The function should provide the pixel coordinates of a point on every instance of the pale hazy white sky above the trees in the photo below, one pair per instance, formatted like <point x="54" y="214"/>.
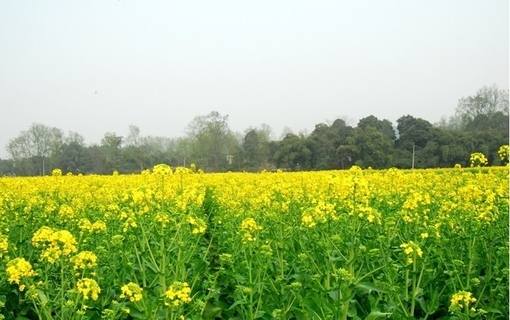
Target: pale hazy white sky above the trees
<point x="98" y="66"/>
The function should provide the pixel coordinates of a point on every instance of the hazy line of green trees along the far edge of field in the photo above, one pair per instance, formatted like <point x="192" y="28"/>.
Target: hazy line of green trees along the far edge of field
<point x="480" y="124"/>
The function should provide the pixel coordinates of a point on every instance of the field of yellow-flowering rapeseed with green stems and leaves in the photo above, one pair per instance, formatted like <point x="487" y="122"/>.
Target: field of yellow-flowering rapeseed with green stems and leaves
<point x="356" y="244"/>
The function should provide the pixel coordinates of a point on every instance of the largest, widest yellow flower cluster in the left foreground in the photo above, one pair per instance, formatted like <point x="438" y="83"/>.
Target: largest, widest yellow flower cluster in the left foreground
<point x="56" y="243"/>
